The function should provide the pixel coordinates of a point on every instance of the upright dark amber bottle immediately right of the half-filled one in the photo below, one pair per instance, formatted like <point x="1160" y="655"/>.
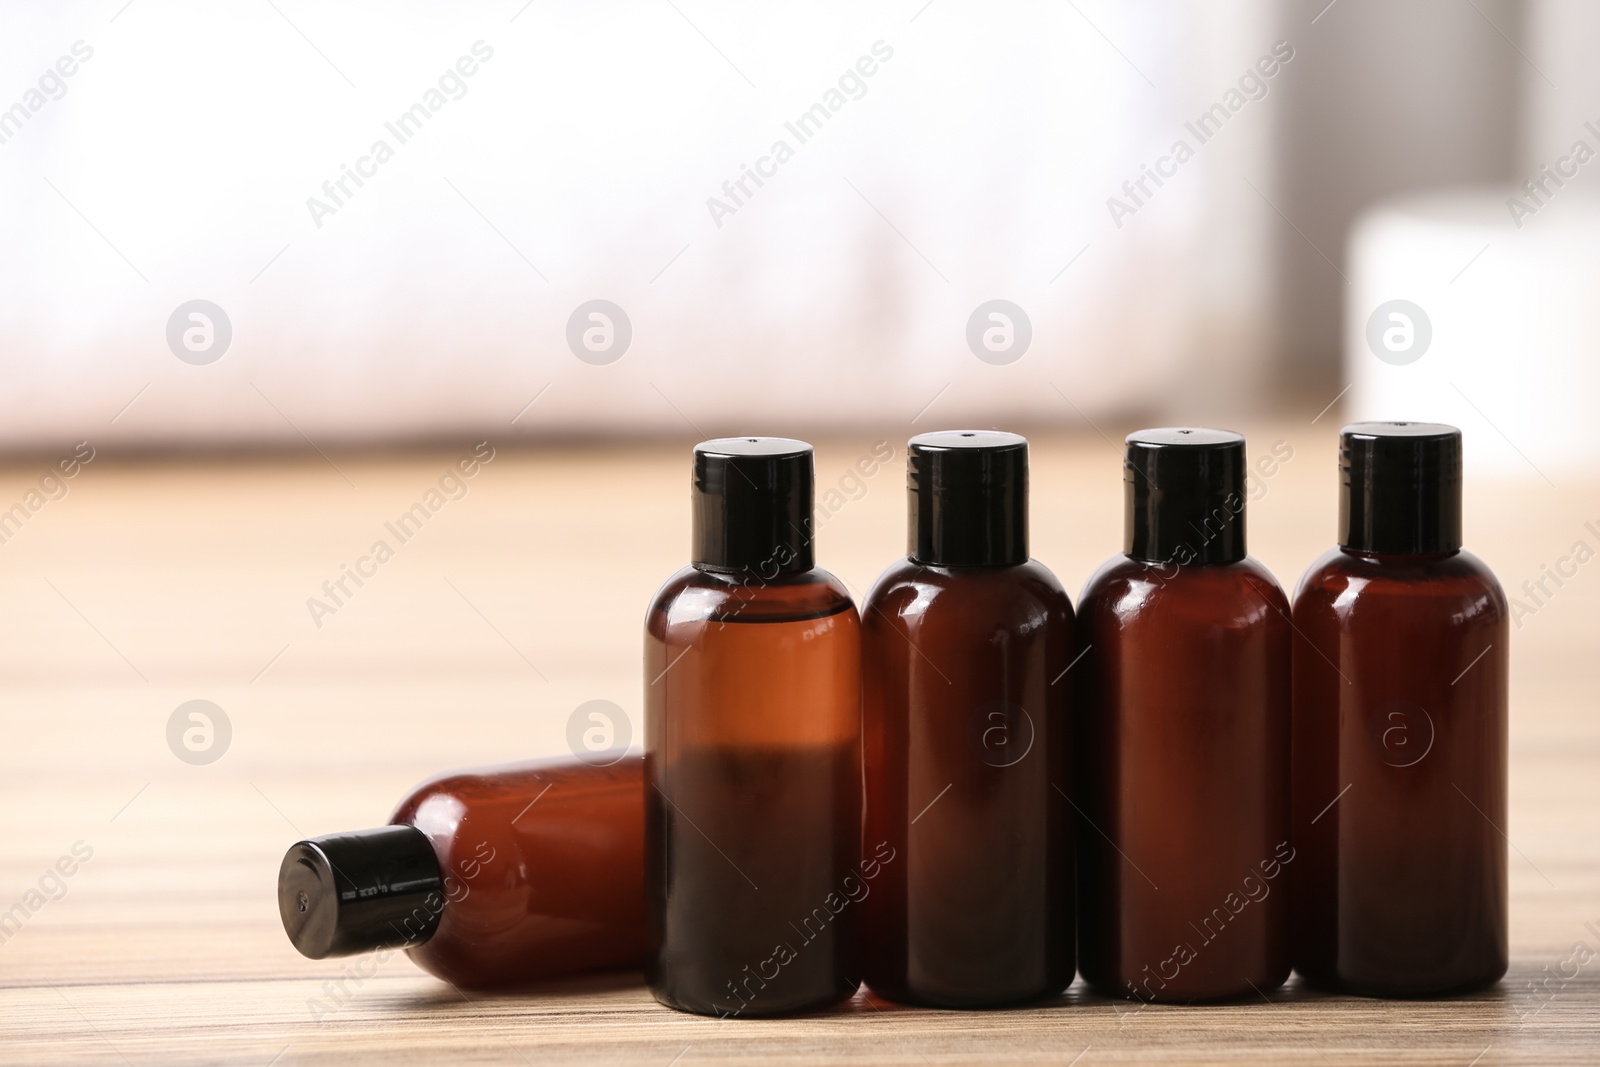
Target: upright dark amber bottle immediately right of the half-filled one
<point x="966" y="644"/>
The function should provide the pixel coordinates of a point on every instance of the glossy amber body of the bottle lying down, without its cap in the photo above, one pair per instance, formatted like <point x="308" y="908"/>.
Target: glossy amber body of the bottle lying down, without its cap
<point x="543" y="868"/>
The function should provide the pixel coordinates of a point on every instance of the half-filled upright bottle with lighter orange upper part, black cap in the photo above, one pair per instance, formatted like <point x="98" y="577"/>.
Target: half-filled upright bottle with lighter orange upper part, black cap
<point x="753" y="761"/>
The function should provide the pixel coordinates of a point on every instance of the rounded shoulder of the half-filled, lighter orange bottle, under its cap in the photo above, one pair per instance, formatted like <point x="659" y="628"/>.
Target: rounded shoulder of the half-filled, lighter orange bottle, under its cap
<point x="700" y="596"/>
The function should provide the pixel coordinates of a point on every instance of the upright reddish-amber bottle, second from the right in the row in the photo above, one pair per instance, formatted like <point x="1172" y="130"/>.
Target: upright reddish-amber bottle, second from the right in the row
<point x="1183" y="738"/>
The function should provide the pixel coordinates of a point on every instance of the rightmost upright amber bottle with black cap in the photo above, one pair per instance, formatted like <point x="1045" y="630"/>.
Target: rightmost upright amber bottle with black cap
<point x="1401" y="676"/>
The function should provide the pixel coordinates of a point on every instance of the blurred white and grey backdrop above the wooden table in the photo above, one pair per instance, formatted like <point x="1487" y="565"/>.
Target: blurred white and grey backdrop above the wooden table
<point x="977" y="162"/>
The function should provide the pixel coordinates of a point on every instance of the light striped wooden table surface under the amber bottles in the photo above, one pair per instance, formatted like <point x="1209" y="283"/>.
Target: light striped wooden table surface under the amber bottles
<point x="158" y="581"/>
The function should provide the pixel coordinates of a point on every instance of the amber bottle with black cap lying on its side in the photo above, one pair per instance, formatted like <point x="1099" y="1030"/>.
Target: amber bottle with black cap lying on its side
<point x="487" y="879"/>
